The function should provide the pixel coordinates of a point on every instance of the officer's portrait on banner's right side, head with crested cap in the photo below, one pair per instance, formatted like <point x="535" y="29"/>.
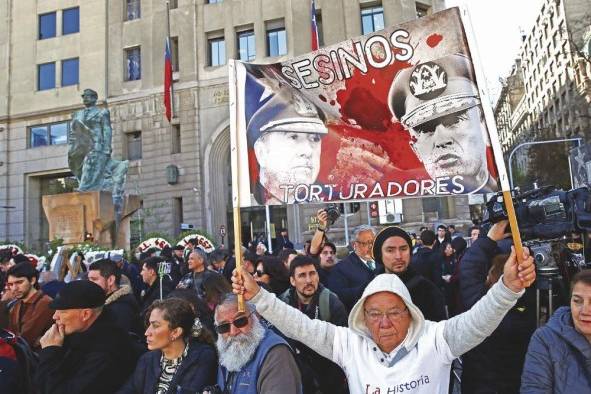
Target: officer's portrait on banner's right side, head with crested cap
<point x="439" y="104"/>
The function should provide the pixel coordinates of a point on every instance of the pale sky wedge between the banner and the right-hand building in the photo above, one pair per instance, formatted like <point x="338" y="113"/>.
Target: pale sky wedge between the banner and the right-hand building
<point x="497" y="29"/>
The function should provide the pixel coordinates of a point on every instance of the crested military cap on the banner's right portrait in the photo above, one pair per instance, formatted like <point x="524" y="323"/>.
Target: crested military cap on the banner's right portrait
<point x="433" y="89"/>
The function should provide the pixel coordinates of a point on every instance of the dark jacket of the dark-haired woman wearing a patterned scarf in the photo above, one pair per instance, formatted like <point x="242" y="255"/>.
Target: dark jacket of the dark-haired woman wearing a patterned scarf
<point x="197" y="371"/>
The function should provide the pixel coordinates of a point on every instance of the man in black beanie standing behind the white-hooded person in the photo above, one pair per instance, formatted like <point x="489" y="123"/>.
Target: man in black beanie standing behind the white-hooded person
<point x="392" y="248"/>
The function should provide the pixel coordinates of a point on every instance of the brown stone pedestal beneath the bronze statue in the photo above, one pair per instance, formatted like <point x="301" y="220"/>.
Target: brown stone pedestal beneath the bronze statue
<point x="72" y="215"/>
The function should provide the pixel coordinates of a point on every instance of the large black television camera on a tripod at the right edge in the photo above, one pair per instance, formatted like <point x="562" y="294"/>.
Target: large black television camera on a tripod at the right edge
<point x="553" y="224"/>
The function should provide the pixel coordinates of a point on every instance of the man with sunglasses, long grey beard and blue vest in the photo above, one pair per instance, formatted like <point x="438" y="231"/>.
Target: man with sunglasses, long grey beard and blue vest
<point x="253" y="359"/>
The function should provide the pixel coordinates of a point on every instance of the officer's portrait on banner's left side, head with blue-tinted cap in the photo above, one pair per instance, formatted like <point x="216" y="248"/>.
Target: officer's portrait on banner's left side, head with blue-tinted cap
<point x="286" y="137"/>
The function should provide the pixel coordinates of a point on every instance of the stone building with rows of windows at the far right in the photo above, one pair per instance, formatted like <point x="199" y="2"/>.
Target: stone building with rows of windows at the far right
<point x="546" y="96"/>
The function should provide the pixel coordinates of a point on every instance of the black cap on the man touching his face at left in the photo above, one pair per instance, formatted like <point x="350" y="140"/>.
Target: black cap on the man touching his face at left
<point x="79" y="294"/>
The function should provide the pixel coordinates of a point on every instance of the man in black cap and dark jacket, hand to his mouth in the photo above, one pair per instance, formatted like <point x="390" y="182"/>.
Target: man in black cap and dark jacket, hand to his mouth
<point x="84" y="351"/>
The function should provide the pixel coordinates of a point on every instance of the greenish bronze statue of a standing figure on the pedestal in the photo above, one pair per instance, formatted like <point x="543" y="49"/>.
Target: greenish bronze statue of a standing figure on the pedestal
<point x="89" y="151"/>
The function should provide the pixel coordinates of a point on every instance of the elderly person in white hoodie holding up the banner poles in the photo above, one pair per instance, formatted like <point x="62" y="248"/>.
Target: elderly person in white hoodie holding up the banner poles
<point x="389" y="347"/>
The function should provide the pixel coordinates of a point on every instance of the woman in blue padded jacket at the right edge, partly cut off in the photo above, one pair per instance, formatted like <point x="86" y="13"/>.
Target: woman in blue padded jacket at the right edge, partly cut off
<point x="558" y="358"/>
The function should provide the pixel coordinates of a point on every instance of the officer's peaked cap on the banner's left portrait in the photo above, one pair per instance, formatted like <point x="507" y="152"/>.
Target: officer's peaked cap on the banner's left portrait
<point x="286" y="111"/>
